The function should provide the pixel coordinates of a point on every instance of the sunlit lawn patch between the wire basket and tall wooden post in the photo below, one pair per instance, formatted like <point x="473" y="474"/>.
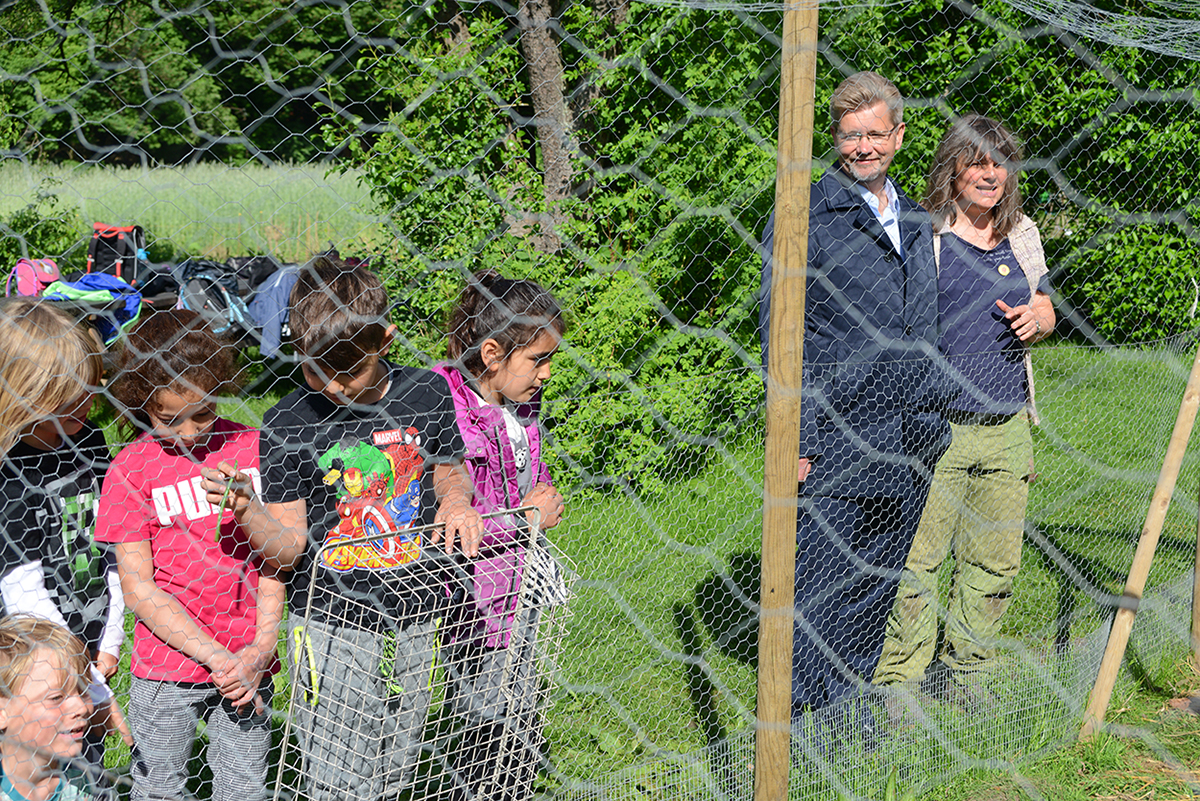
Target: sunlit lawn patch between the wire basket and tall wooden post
<point x="644" y="668"/>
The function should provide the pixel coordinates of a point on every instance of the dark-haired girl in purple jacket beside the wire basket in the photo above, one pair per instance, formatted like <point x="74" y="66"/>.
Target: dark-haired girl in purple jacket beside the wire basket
<point x="502" y="338"/>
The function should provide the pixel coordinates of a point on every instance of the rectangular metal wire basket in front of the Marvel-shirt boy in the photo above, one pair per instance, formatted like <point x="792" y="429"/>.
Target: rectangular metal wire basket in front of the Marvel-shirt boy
<point x="461" y="708"/>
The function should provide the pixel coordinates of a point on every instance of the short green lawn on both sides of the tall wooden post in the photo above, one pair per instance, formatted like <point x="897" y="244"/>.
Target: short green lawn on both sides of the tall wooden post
<point x="661" y="655"/>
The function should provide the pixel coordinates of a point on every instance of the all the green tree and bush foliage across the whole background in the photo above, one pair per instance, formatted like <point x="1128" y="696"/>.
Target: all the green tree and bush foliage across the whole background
<point x="668" y="118"/>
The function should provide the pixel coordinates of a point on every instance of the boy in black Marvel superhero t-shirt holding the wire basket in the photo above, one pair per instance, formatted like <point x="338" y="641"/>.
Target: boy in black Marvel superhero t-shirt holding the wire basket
<point x="365" y="449"/>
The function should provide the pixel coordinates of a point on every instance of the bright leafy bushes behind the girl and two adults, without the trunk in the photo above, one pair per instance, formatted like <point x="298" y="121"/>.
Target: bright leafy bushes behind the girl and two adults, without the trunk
<point x="674" y="123"/>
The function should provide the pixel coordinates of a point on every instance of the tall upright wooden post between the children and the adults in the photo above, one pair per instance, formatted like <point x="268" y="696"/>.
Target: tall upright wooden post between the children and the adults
<point x="794" y="179"/>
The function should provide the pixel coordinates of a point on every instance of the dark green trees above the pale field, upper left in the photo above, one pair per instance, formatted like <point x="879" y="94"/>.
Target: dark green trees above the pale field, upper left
<point x="171" y="83"/>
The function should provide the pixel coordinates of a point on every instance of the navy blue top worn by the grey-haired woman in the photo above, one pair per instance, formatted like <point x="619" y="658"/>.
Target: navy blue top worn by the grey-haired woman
<point x="985" y="354"/>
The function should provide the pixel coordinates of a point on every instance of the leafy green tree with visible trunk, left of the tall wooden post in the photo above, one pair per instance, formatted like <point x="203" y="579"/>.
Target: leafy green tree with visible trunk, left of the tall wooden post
<point x="640" y="234"/>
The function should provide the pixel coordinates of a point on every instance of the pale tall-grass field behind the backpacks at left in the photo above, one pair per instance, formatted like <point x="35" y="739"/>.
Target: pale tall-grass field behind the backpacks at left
<point x="207" y="210"/>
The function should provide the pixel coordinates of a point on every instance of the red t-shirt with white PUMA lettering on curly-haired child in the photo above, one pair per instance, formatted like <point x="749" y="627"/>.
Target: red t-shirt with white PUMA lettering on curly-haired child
<point x="153" y="492"/>
